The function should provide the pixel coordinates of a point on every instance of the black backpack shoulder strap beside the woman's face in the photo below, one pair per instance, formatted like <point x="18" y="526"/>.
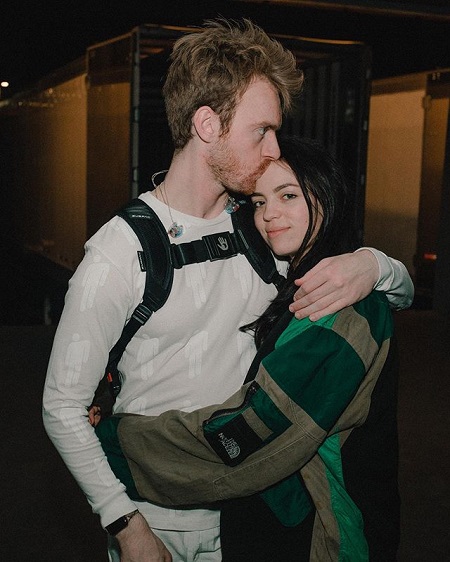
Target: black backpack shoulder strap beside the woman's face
<point x="254" y="248"/>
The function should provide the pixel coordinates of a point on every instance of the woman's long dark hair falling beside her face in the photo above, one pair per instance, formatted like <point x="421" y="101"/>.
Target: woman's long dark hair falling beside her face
<point x="327" y="195"/>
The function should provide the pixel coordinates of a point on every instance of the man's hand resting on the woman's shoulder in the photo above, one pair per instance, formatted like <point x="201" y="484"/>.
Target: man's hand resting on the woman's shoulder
<point x="335" y="283"/>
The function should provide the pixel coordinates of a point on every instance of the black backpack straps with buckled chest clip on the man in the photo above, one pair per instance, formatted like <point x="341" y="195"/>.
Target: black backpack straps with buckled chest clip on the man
<point x="159" y="258"/>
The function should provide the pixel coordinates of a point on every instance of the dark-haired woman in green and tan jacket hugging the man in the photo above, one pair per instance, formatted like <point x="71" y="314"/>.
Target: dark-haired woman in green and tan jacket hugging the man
<point x="316" y="430"/>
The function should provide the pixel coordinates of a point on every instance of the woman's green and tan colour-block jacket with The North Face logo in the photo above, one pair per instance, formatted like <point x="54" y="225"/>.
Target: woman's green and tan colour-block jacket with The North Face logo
<point x="310" y="393"/>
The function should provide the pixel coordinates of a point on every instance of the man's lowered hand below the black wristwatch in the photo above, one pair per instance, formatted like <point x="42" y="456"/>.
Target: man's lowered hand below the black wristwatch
<point x="138" y="543"/>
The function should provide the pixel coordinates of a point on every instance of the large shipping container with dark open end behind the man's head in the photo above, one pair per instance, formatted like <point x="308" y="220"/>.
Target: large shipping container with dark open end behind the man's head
<point x="87" y="138"/>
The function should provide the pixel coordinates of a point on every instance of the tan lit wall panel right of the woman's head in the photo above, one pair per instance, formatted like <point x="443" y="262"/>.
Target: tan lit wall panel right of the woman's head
<point x="394" y="165"/>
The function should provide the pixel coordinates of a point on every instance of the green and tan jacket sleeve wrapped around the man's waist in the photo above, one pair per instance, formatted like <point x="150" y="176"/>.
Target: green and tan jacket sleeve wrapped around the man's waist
<point x="270" y="428"/>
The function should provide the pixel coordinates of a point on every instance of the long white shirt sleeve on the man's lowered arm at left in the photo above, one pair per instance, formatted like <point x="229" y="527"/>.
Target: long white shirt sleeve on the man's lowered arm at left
<point x="97" y="305"/>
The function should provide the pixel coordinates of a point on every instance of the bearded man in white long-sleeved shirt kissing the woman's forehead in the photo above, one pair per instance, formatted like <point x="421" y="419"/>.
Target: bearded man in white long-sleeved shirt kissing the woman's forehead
<point x="225" y="92"/>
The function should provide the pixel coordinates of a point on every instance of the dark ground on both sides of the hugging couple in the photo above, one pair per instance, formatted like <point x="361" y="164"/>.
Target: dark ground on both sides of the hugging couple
<point x="46" y="519"/>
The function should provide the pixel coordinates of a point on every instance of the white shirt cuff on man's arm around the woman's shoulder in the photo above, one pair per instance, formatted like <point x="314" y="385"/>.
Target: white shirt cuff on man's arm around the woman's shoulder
<point x="394" y="280"/>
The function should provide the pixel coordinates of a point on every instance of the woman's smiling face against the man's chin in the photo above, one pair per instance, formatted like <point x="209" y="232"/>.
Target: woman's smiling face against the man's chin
<point x="281" y="213"/>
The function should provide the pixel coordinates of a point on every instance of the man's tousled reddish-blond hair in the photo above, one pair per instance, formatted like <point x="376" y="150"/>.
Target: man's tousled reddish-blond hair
<point x="215" y="65"/>
